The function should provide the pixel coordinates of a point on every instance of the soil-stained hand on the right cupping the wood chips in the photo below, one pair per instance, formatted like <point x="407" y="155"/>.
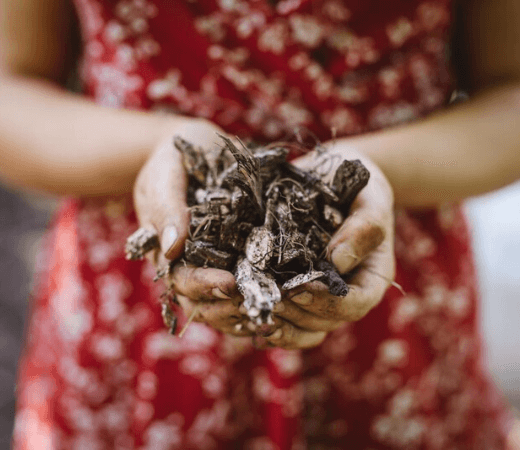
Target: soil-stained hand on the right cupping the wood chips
<point x="363" y="247"/>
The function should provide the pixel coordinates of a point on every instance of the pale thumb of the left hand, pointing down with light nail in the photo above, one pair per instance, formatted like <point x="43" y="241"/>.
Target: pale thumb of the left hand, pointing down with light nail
<point x="160" y="199"/>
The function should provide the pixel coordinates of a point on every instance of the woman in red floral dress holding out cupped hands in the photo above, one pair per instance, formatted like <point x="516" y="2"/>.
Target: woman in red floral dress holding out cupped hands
<point x="373" y="371"/>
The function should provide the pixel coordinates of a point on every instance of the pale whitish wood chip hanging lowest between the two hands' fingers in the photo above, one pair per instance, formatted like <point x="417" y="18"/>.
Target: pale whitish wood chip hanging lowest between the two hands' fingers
<point x="259" y="289"/>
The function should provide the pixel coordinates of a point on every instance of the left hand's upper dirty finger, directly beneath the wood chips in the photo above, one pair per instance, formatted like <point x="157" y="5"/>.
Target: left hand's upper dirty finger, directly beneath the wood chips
<point x="204" y="284"/>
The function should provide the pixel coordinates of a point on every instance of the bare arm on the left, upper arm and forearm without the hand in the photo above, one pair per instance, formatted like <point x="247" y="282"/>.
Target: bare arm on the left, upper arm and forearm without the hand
<point x="53" y="140"/>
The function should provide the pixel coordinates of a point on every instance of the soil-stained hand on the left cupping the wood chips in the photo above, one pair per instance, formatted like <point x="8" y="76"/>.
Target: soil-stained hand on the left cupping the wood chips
<point x="160" y="204"/>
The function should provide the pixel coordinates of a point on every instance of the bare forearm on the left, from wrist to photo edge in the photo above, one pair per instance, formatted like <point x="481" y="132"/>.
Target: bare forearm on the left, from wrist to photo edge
<point x="58" y="142"/>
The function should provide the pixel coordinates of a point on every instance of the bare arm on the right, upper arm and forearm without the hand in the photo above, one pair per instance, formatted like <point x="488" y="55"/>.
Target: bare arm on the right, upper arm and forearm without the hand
<point x="472" y="148"/>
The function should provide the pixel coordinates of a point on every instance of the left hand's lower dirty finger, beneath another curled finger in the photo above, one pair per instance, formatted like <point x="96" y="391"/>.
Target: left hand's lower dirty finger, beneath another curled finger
<point x="223" y="316"/>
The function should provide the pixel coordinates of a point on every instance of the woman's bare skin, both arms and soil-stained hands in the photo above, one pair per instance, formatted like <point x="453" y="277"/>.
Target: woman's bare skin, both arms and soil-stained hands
<point x="444" y="157"/>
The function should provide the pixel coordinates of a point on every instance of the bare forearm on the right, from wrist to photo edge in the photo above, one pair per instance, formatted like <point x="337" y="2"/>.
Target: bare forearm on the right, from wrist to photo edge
<point x="466" y="150"/>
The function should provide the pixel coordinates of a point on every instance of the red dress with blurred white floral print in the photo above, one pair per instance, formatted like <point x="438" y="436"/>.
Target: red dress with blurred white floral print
<point x="100" y="371"/>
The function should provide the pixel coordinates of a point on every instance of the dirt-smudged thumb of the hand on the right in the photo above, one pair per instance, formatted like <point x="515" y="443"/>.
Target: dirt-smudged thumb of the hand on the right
<point x="361" y="233"/>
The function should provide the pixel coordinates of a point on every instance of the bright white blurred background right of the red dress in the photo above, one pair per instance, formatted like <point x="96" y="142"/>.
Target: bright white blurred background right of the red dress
<point x="495" y="220"/>
